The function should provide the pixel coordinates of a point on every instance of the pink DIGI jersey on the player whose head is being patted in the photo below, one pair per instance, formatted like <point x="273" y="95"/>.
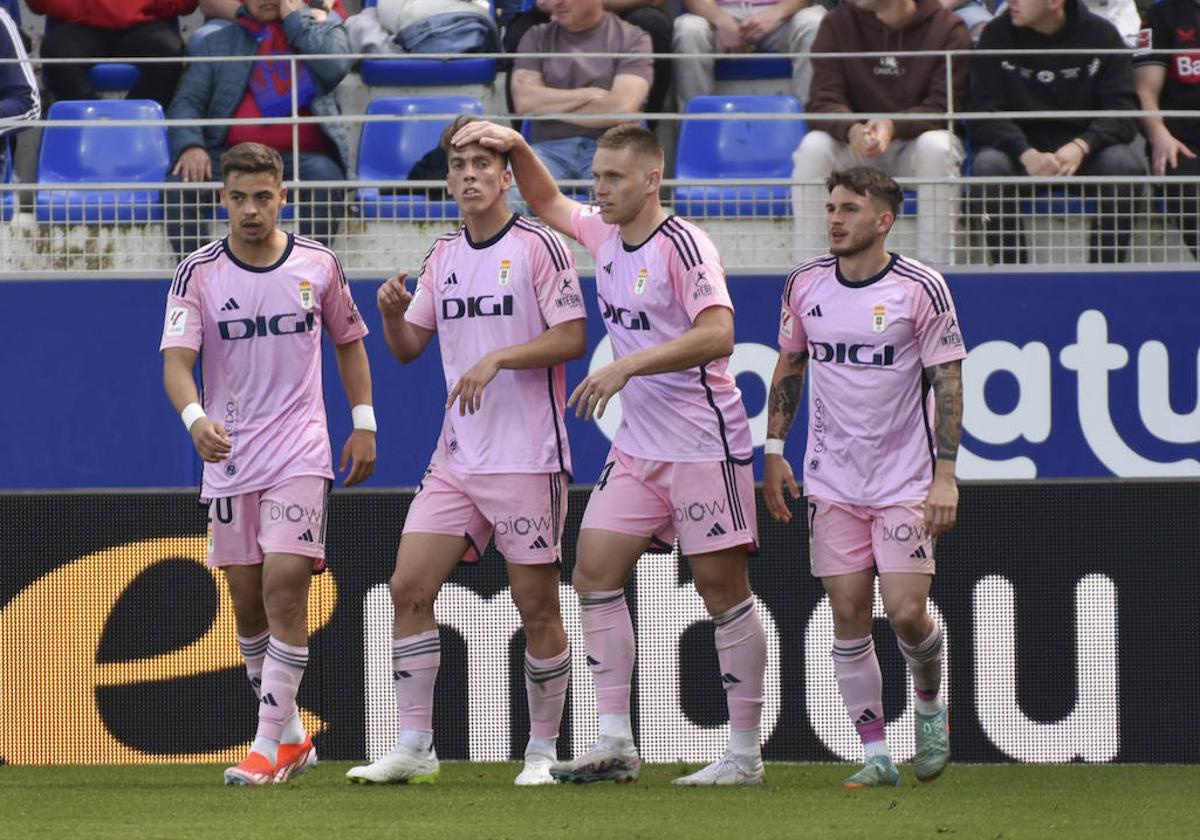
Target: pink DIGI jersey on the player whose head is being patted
<point x="482" y="297"/>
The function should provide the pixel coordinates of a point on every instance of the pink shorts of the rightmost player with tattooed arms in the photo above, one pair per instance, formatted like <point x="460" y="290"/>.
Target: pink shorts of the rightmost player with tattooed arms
<point x="848" y="538"/>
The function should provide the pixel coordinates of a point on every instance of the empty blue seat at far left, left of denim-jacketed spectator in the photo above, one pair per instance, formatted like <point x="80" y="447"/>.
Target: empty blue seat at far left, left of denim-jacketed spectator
<point x="98" y="154"/>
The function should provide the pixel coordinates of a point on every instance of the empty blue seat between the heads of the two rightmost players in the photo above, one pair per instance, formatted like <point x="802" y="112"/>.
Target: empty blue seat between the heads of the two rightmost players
<point x="737" y="148"/>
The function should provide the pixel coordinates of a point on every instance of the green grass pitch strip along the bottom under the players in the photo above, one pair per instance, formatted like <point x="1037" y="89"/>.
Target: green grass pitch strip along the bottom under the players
<point x="1000" y="802"/>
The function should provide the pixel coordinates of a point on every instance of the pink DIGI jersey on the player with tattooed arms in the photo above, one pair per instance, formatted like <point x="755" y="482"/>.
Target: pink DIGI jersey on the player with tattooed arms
<point x="871" y="407"/>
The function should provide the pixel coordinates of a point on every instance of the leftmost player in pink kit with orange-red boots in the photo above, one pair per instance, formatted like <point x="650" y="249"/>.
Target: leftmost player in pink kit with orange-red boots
<point x="256" y="303"/>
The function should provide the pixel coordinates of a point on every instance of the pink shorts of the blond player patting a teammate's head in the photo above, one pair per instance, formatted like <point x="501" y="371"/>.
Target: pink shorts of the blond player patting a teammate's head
<point x="709" y="505"/>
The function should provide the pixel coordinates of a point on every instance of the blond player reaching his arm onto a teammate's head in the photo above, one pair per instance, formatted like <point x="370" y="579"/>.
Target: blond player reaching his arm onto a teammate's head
<point x="681" y="459"/>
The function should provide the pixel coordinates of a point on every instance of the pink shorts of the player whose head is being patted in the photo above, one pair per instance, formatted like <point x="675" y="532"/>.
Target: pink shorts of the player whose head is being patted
<point x="523" y="512"/>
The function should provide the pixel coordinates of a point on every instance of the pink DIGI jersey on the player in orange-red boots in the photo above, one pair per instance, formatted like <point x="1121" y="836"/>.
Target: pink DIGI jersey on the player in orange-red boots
<point x="260" y="331"/>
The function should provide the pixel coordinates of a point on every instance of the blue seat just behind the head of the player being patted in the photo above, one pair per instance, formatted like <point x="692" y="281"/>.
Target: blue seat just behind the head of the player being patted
<point x="389" y="149"/>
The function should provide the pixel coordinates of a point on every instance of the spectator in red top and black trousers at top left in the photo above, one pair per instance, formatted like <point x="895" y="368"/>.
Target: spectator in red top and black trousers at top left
<point x="112" y="29"/>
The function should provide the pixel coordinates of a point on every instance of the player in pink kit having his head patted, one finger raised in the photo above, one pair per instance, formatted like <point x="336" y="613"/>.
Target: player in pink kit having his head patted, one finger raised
<point x="503" y="297"/>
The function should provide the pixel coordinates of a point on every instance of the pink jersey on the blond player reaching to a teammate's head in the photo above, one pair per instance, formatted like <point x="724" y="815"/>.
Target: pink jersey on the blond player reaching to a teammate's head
<point x="649" y="296"/>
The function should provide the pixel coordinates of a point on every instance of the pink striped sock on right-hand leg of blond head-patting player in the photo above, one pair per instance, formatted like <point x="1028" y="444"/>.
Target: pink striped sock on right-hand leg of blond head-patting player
<point x="742" y="656"/>
